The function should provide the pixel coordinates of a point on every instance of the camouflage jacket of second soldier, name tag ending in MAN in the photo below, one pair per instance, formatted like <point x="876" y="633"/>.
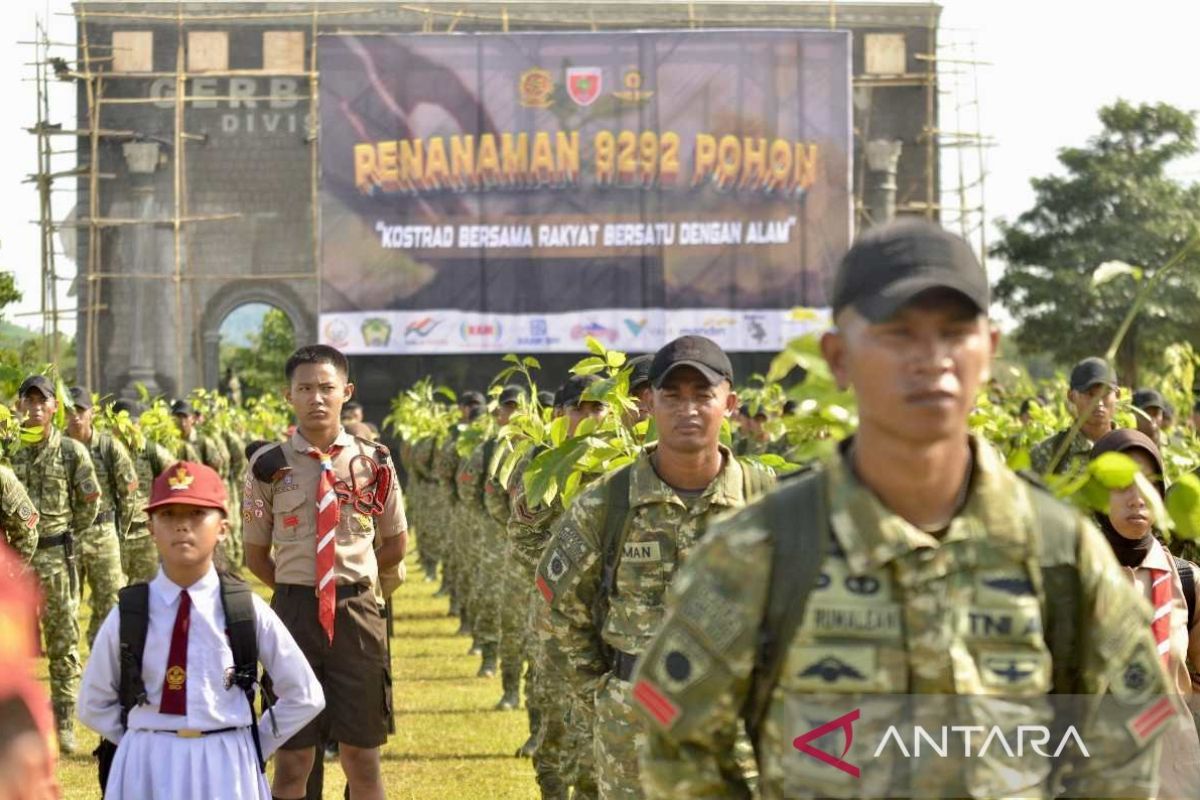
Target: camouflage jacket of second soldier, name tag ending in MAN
<point x="662" y="531"/>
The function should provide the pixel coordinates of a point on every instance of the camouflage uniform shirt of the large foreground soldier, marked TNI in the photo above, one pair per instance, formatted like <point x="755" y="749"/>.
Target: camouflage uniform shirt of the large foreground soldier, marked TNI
<point x="896" y="612"/>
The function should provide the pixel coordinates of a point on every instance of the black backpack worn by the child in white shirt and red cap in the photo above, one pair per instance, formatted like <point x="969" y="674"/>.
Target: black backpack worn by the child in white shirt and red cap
<point x="134" y="609"/>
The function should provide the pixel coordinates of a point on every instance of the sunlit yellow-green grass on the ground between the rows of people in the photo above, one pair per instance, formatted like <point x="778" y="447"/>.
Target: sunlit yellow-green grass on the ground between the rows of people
<point x="449" y="741"/>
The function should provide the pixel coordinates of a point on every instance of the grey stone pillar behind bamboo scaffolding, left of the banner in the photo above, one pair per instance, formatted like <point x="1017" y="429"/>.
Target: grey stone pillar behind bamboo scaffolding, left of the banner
<point x="142" y="159"/>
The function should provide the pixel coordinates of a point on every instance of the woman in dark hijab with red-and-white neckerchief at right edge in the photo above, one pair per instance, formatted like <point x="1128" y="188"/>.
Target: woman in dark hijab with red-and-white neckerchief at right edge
<point x="1130" y="527"/>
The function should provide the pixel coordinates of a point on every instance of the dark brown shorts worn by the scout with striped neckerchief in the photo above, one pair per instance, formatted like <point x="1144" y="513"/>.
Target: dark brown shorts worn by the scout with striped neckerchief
<point x="353" y="672"/>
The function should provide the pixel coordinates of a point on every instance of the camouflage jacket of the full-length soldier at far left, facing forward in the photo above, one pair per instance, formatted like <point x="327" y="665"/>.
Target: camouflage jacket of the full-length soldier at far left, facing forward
<point x="62" y="482"/>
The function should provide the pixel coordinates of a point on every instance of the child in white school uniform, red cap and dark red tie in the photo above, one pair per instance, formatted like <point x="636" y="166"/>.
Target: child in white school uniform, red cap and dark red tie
<point x="193" y="736"/>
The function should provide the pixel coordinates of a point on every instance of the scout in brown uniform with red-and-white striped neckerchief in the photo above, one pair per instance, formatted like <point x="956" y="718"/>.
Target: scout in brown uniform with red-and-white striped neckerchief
<point x="325" y="490"/>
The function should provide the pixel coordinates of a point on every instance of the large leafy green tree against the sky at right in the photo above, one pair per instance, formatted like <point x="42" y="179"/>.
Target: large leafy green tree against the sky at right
<point x="1115" y="203"/>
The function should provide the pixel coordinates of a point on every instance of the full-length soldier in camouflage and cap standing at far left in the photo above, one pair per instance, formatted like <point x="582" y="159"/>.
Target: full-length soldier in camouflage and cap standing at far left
<point x="62" y="483"/>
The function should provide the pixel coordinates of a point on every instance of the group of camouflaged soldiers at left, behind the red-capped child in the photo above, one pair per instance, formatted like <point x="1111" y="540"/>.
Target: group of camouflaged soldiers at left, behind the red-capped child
<point x="73" y="506"/>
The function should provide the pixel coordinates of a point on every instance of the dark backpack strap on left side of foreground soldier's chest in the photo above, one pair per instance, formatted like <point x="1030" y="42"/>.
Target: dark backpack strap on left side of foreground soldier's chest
<point x="799" y="519"/>
